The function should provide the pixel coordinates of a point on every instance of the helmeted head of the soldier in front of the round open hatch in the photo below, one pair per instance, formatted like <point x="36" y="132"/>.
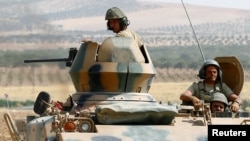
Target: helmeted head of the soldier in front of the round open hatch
<point x="210" y="70"/>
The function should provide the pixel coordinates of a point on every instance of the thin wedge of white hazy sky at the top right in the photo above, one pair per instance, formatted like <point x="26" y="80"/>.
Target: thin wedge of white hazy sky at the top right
<point x="239" y="4"/>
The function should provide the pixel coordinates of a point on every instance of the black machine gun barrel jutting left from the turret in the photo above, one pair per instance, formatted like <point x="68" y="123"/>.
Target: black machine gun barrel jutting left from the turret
<point x="69" y="60"/>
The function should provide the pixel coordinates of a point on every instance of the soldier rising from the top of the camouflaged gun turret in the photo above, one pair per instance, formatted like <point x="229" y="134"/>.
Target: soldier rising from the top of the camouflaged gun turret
<point x="118" y="22"/>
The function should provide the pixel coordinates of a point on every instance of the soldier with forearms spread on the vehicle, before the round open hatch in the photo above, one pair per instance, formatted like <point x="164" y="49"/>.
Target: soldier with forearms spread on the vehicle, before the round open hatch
<point x="210" y="83"/>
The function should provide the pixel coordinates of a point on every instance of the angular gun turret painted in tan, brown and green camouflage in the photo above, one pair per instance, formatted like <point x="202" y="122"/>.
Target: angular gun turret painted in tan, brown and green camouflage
<point x="117" y="65"/>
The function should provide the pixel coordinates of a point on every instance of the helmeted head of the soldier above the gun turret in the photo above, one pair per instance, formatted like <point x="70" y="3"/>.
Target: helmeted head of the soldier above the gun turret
<point x="116" y="20"/>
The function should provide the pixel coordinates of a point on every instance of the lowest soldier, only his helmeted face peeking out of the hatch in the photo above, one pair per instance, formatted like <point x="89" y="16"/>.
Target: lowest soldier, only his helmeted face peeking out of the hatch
<point x="218" y="102"/>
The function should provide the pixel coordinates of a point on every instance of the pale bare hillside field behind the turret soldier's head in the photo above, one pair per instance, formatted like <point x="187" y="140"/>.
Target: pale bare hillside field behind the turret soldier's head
<point x="169" y="15"/>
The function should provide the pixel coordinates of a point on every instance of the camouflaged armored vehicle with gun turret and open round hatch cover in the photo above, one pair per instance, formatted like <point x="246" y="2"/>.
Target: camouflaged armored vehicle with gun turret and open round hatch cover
<point x="112" y="100"/>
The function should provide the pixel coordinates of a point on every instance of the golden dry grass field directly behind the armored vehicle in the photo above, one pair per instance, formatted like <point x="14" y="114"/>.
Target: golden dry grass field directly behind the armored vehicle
<point x="162" y="91"/>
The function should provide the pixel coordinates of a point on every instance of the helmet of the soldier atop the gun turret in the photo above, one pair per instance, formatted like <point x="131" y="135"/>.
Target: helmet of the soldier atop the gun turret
<point x="114" y="13"/>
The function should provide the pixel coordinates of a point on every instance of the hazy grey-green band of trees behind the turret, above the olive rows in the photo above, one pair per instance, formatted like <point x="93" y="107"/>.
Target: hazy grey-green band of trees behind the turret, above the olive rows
<point x="189" y="57"/>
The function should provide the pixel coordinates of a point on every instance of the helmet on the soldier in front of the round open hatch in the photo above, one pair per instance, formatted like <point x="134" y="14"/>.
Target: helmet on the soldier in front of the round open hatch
<point x="210" y="62"/>
